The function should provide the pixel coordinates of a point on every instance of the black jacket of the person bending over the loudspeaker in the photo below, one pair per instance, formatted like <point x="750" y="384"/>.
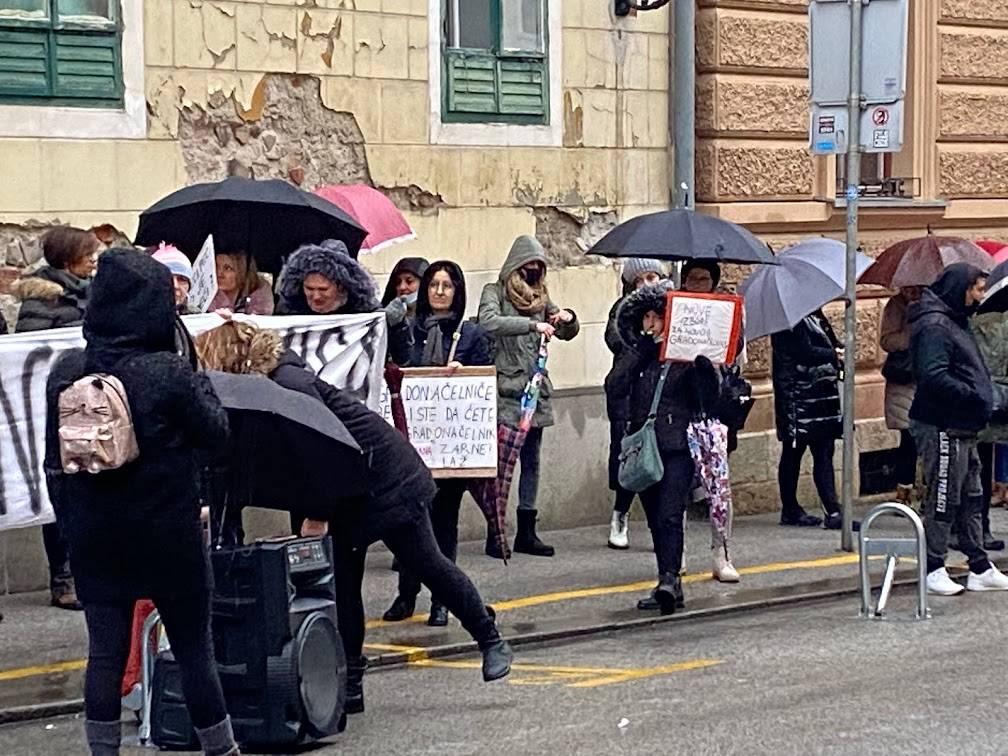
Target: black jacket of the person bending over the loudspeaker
<point x="402" y="487"/>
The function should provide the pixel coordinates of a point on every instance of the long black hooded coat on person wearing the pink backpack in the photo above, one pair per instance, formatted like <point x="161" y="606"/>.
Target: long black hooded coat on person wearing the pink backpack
<point x="135" y="533"/>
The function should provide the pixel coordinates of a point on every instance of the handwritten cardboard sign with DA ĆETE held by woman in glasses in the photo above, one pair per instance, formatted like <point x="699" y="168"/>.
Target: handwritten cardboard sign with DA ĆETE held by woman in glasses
<point x="452" y="420"/>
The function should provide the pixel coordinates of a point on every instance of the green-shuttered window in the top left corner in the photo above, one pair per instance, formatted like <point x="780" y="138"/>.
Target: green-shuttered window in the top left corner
<point x="62" y="53"/>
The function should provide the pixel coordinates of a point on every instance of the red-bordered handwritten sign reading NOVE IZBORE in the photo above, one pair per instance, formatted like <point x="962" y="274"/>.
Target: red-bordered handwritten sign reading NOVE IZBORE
<point x="706" y="325"/>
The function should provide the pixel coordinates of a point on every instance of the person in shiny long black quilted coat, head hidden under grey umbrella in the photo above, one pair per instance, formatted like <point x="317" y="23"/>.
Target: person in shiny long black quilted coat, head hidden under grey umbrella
<point x="807" y="365"/>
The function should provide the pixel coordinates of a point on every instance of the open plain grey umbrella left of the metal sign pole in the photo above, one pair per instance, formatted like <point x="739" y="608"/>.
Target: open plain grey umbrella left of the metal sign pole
<point x="810" y="275"/>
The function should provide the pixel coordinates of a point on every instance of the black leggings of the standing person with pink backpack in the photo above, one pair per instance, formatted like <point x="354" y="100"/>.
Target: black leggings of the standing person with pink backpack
<point x="188" y="624"/>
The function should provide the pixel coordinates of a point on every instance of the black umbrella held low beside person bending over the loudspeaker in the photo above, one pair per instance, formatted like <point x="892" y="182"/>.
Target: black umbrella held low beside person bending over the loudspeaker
<point x="287" y="451"/>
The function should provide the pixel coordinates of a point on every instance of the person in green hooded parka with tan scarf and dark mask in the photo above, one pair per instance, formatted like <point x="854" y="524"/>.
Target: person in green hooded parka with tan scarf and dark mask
<point x="517" y="313"/>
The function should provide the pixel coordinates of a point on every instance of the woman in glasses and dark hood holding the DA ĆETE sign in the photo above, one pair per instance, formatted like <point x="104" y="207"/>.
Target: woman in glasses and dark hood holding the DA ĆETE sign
<point x="442" y="337"/>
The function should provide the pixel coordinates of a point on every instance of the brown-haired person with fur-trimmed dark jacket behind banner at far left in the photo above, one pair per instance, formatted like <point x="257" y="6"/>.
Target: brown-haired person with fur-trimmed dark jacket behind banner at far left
<point x="52" y="298"/>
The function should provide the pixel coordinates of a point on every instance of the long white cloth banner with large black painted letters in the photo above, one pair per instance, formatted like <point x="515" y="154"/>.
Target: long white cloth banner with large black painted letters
<point x="347" y="351"/>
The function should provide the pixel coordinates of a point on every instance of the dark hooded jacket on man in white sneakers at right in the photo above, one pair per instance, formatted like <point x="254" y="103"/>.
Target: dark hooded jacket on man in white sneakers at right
<point x="954" y="385"/>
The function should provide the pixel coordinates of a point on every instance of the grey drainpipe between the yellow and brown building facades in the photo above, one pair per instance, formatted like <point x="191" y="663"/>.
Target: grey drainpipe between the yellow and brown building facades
<point x="685" y="94"/>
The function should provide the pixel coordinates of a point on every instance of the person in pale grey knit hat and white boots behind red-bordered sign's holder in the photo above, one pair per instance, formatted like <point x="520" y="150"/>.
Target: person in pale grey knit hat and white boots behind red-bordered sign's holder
<point x="638" y="274"/>
